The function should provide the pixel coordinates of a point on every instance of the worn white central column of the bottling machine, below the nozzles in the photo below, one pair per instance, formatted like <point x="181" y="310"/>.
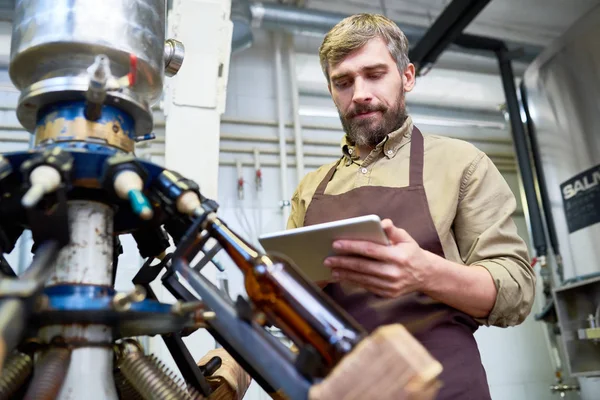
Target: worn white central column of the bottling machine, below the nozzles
<point x="86" y="260"/>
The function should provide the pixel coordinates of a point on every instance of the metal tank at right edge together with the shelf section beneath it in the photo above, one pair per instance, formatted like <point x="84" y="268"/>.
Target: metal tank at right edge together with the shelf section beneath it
<point x="562" y="88"/>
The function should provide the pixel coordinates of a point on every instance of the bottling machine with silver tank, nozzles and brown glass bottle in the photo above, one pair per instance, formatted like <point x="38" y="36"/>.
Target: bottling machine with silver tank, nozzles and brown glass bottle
<point x="88" y="73"/>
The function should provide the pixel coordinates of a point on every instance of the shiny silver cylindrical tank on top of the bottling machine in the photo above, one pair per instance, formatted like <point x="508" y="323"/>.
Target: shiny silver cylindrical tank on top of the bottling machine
<point x="55" y="41"/>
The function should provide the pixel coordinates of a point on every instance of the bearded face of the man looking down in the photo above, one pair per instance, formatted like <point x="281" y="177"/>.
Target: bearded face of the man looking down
<point x="368" y="90"/>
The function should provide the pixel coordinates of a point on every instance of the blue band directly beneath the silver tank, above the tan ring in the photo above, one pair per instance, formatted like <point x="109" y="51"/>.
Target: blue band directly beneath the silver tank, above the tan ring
<point x="70" y="111"/>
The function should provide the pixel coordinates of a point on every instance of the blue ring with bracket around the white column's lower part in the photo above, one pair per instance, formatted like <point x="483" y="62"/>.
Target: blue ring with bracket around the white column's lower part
<point x="86" y="304"/>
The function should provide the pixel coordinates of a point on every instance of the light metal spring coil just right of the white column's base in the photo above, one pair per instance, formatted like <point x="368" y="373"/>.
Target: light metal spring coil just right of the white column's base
<point x="153" y="380"/>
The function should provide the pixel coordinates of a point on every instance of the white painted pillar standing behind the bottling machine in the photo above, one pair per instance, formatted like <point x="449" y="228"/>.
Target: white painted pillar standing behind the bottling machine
<point x="194" y="102"/>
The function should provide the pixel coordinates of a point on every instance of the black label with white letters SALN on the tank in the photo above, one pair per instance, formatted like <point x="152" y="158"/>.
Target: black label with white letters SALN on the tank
<point x="581" y="199"/>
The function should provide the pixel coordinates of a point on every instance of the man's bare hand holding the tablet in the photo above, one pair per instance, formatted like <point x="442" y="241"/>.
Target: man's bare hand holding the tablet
<point x="388" y="271"/>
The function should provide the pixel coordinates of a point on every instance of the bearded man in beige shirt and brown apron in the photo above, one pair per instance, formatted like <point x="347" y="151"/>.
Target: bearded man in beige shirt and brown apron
<point x="455" y="259"/>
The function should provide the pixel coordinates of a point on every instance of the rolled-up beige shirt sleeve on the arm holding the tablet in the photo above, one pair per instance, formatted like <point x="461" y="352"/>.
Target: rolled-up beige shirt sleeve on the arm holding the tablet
<point x="487" y="236"/>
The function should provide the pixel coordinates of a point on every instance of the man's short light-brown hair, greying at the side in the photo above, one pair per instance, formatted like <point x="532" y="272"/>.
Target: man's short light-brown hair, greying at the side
<point x="354" y="32"/>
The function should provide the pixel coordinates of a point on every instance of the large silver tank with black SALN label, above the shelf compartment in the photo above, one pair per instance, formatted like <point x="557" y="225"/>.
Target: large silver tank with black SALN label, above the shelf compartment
<point x="563" y="89"/>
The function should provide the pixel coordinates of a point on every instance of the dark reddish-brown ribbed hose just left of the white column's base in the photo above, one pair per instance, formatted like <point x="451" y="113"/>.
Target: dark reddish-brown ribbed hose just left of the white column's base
<point x="49" y="374"/>
